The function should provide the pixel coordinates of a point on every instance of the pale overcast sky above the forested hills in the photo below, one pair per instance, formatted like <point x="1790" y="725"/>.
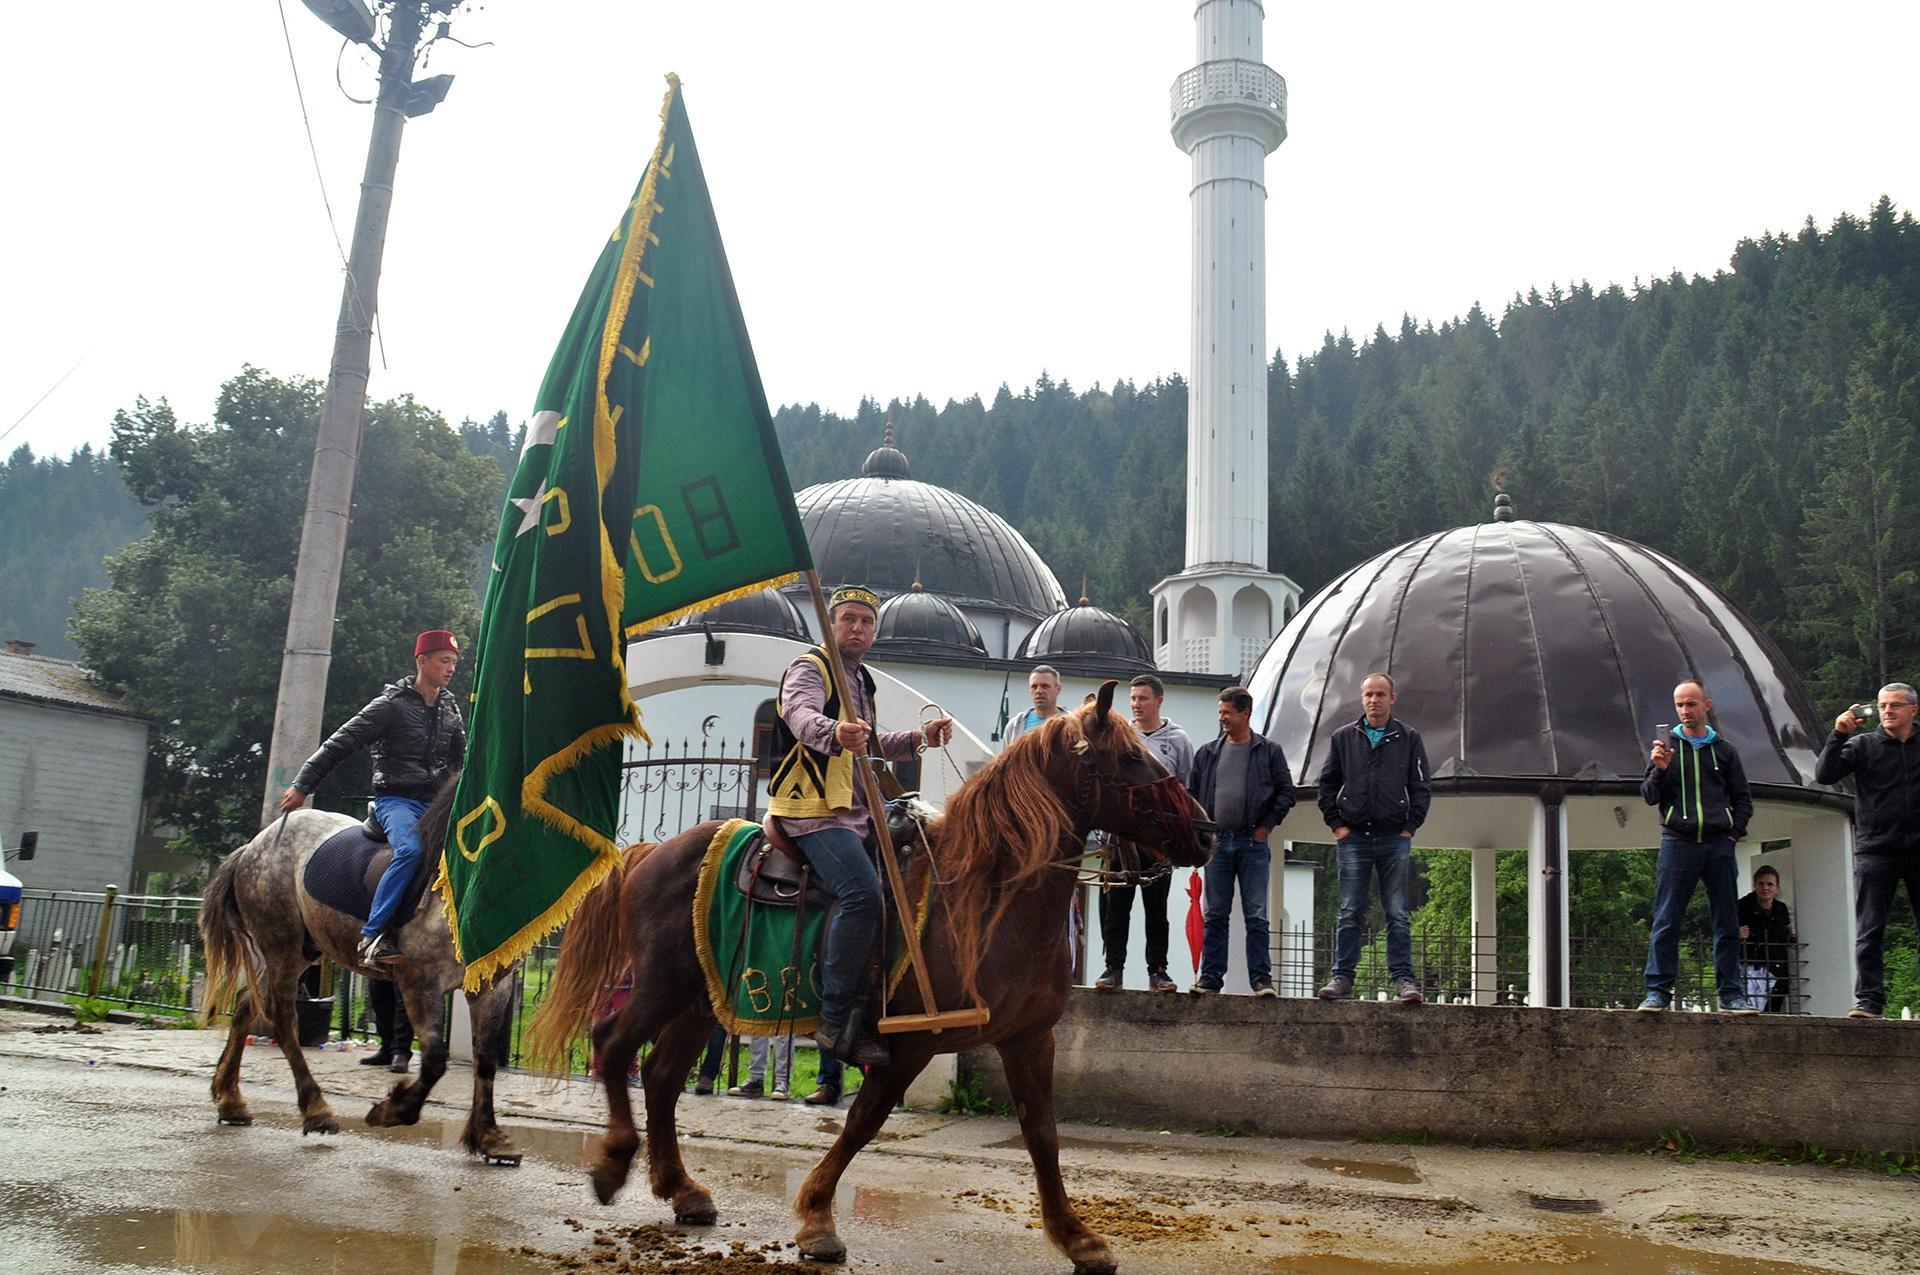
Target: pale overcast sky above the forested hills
<point x="917" y="199"/>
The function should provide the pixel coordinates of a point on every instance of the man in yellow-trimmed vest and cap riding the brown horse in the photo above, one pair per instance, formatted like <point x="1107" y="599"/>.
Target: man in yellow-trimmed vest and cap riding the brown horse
<point x="817" y="800"/>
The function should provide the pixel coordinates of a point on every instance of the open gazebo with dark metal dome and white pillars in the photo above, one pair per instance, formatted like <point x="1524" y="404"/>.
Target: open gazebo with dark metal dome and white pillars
<point x="1539" y="662"/>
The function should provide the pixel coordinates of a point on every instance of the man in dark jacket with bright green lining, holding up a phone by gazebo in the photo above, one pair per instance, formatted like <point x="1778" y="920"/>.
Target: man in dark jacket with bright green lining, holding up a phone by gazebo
<point x="1696" y="781"/>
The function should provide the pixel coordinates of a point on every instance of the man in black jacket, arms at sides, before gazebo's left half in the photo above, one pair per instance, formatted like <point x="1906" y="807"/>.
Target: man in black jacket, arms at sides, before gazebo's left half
<point x="1374" y="796"/>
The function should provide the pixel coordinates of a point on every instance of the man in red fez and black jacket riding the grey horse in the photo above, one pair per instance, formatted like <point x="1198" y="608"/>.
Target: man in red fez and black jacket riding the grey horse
<point x="418" y="742"/>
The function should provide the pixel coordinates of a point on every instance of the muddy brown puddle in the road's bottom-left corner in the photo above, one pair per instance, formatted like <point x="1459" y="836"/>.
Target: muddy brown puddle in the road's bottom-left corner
<point x="245" y="1245"/>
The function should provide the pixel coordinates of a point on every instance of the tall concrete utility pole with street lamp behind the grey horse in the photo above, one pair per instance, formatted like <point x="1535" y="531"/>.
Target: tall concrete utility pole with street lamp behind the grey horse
<point x="324" y="535"/>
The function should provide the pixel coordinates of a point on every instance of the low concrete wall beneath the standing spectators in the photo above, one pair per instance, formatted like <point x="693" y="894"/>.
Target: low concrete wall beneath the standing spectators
<point x="1470" y="1074"/>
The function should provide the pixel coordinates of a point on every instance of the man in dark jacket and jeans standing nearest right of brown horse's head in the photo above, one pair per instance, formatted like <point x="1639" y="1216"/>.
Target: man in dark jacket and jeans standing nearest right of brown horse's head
<point x="1243" y="782"/>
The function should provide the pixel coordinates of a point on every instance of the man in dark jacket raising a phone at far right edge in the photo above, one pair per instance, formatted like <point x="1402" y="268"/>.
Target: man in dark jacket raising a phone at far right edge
<point x="1886" y="829"/>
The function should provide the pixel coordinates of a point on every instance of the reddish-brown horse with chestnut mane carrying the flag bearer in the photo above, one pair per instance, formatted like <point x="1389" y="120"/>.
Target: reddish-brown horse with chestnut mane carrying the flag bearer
<point x="1005" y="854"/>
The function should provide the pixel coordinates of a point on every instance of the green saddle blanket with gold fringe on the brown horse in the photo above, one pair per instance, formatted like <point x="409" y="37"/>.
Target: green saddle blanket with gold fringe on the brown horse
<point x="759" y="978"/>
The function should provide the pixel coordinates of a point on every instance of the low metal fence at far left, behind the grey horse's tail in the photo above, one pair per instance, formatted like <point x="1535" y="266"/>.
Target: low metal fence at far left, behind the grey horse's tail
<point x="141" y="951"/>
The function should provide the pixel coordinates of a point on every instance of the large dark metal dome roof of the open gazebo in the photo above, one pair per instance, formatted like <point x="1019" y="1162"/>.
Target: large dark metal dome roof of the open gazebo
<point x="1535" y="652"/>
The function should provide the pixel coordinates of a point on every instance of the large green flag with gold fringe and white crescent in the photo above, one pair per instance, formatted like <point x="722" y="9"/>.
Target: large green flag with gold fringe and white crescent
<point x="650" y="487"/>
